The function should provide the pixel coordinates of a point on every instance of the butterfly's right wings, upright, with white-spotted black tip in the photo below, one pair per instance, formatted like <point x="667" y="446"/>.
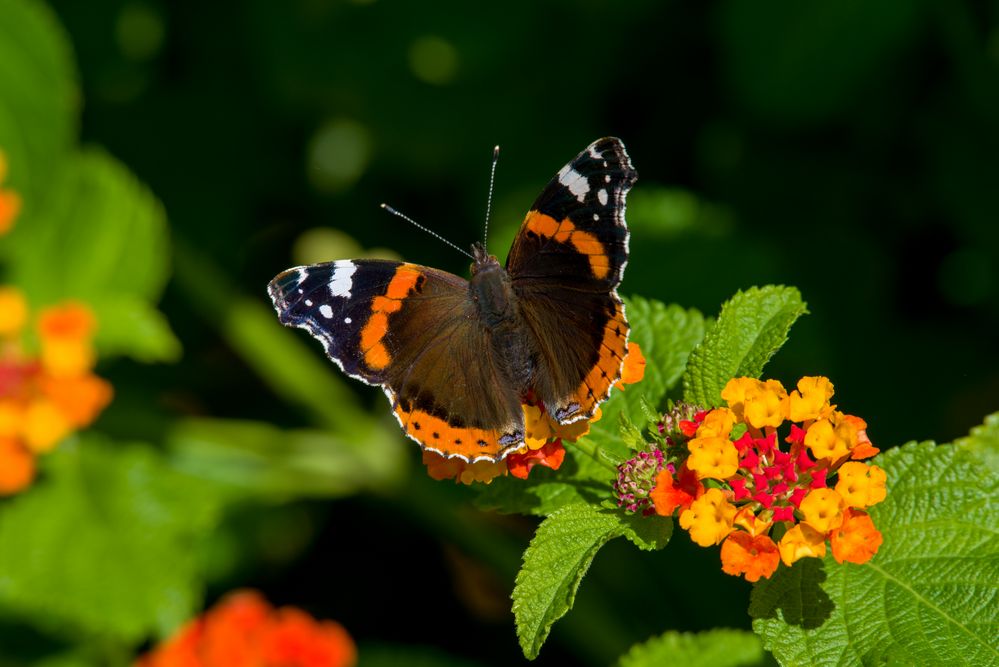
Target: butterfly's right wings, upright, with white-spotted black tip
<point x="565" y="265"/>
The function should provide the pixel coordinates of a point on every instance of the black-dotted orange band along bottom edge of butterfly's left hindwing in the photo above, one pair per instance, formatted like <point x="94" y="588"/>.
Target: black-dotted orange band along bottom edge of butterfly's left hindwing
<point x="437" y="435"/>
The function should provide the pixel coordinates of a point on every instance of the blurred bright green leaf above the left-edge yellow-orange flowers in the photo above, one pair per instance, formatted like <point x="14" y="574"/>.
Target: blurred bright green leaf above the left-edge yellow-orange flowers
<point x="102" y="238"/>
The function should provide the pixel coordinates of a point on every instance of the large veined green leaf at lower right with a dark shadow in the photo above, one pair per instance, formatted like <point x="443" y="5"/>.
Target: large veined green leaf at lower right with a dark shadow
<point x="928" y="595"/>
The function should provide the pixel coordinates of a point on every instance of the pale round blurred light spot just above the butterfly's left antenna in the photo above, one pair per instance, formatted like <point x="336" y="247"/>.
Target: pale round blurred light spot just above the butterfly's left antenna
<point x="338" y="153"/>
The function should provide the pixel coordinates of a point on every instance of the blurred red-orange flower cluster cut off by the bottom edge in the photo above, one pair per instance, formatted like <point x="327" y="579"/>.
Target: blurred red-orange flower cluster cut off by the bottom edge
<point x="244" y="630"/>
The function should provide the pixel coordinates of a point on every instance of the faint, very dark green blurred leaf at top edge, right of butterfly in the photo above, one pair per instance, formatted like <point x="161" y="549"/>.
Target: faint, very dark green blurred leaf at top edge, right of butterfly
<point x="788" y="60"/>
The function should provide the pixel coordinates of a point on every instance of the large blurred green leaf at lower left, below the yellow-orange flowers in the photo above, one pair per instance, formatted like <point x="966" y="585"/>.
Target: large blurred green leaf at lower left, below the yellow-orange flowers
<point x="103" y="545"/>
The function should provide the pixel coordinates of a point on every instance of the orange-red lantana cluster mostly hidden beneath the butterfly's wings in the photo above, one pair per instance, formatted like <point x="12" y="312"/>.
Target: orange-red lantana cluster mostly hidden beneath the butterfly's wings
<point x="543" y="438"/>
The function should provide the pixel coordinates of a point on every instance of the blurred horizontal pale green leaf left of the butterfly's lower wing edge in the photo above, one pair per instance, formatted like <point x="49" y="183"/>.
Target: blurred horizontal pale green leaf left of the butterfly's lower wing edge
<point x="260" y="459"/>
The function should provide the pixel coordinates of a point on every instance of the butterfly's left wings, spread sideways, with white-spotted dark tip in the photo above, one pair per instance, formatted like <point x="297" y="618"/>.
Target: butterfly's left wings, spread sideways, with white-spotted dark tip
<point x="413" y="331"/>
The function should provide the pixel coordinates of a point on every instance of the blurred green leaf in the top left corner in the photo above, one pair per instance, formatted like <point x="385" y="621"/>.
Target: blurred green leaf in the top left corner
<point x="39" y="99"/>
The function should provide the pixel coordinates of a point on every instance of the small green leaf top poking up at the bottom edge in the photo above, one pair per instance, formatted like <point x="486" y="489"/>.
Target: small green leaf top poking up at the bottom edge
<point x="715" y="648"/>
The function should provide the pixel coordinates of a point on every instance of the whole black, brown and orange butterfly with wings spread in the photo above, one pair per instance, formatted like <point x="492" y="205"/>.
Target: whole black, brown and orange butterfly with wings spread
<point x="458" y="358"/>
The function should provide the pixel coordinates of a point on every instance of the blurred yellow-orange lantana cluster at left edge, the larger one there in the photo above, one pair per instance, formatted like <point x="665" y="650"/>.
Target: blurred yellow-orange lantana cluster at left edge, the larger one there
<point x="48" y="392"/>
